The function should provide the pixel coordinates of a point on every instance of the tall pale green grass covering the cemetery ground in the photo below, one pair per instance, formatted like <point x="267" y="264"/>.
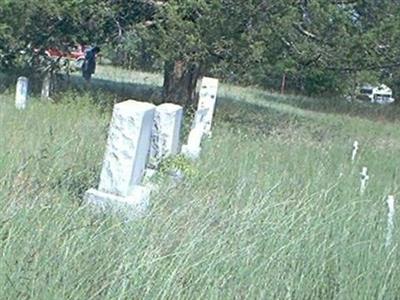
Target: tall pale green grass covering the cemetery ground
<point x="272" y="210"/>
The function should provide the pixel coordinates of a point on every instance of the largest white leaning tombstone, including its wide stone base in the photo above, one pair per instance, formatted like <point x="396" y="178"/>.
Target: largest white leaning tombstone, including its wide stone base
<point x="126" y="154"/>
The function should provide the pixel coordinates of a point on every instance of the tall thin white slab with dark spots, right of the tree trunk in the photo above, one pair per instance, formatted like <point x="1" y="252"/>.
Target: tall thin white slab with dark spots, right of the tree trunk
<point x="207" y="100"/>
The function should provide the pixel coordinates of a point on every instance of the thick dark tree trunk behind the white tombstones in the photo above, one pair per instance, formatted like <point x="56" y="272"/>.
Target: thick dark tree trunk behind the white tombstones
<point x="180" y="79"/>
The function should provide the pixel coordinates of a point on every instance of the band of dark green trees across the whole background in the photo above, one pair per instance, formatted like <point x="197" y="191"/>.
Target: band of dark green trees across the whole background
<point x="316" y="47"/>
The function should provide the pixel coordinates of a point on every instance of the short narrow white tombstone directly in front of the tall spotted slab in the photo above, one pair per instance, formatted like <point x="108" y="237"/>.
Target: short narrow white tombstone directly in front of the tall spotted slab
<point x="193" y="147"/>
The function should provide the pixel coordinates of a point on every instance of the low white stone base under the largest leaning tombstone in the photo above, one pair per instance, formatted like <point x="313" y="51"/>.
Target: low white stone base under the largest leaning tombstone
<point x="134" y="205"/>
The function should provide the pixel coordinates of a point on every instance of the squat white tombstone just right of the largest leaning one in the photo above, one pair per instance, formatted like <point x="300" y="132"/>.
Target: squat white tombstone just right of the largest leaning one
<point x="166" y="132"/>
